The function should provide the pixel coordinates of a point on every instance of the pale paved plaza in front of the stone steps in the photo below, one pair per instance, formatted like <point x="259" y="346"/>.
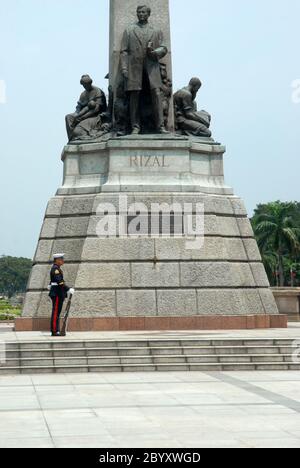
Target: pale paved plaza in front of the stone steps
<point x="254" y="409"/>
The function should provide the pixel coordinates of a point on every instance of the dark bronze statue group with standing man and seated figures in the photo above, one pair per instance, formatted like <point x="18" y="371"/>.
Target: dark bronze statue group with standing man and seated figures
<point x="140" y="98"/>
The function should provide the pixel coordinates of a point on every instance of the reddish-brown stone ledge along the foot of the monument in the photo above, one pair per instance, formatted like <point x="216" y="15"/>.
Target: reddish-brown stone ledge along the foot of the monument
<point x="233" y="322"/>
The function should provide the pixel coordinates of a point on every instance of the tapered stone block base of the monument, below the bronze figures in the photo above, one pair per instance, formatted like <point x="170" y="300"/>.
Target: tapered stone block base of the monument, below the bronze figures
<point x="148" y="282"/>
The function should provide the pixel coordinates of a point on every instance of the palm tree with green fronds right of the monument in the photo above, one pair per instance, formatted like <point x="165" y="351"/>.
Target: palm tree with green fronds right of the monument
<point x="276" y="231"/>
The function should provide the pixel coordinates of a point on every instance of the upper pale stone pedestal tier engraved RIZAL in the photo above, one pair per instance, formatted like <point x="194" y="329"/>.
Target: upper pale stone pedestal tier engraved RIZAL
<point x="139" y="165"/>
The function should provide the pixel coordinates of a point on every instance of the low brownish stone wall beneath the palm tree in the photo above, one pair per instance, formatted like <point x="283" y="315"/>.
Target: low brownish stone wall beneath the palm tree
<point x="288" y="302"/>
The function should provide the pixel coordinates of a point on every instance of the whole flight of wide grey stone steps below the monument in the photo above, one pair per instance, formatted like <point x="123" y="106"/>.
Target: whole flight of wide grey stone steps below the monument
<point x="53" y="355"/>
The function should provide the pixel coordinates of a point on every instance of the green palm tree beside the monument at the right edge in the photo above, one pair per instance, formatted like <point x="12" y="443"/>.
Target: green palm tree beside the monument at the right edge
<point x="277" y="229"/>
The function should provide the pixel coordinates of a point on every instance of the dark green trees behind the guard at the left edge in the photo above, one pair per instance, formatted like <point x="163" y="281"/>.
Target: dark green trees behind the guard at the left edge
<point x="14" y="273"/>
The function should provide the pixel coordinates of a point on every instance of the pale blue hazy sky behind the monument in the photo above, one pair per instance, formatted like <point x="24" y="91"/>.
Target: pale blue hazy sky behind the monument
<point x="246" y="53"/>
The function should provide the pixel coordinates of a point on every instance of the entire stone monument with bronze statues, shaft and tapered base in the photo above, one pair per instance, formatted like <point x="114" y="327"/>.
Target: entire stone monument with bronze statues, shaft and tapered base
<point x="127" y="176"/>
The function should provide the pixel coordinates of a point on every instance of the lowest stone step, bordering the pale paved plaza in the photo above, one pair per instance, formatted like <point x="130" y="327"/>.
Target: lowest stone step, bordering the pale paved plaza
<point x="204" y="367"/>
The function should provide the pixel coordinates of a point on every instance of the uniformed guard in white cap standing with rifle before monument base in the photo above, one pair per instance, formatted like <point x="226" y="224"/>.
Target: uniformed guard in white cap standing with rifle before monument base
<point x="58" y="292"/>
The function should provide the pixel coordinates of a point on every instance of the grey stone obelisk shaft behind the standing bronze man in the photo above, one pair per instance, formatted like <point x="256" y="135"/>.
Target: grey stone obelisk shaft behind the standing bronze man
<point x="122" y="15"/>
